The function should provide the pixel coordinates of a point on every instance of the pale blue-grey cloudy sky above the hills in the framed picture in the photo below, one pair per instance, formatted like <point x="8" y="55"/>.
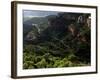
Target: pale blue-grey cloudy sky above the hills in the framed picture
<point x="34" y="13"/>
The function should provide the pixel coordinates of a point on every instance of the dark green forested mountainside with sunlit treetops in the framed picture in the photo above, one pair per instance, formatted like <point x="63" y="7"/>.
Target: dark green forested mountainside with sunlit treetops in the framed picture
<point x="61" y="42"/>
